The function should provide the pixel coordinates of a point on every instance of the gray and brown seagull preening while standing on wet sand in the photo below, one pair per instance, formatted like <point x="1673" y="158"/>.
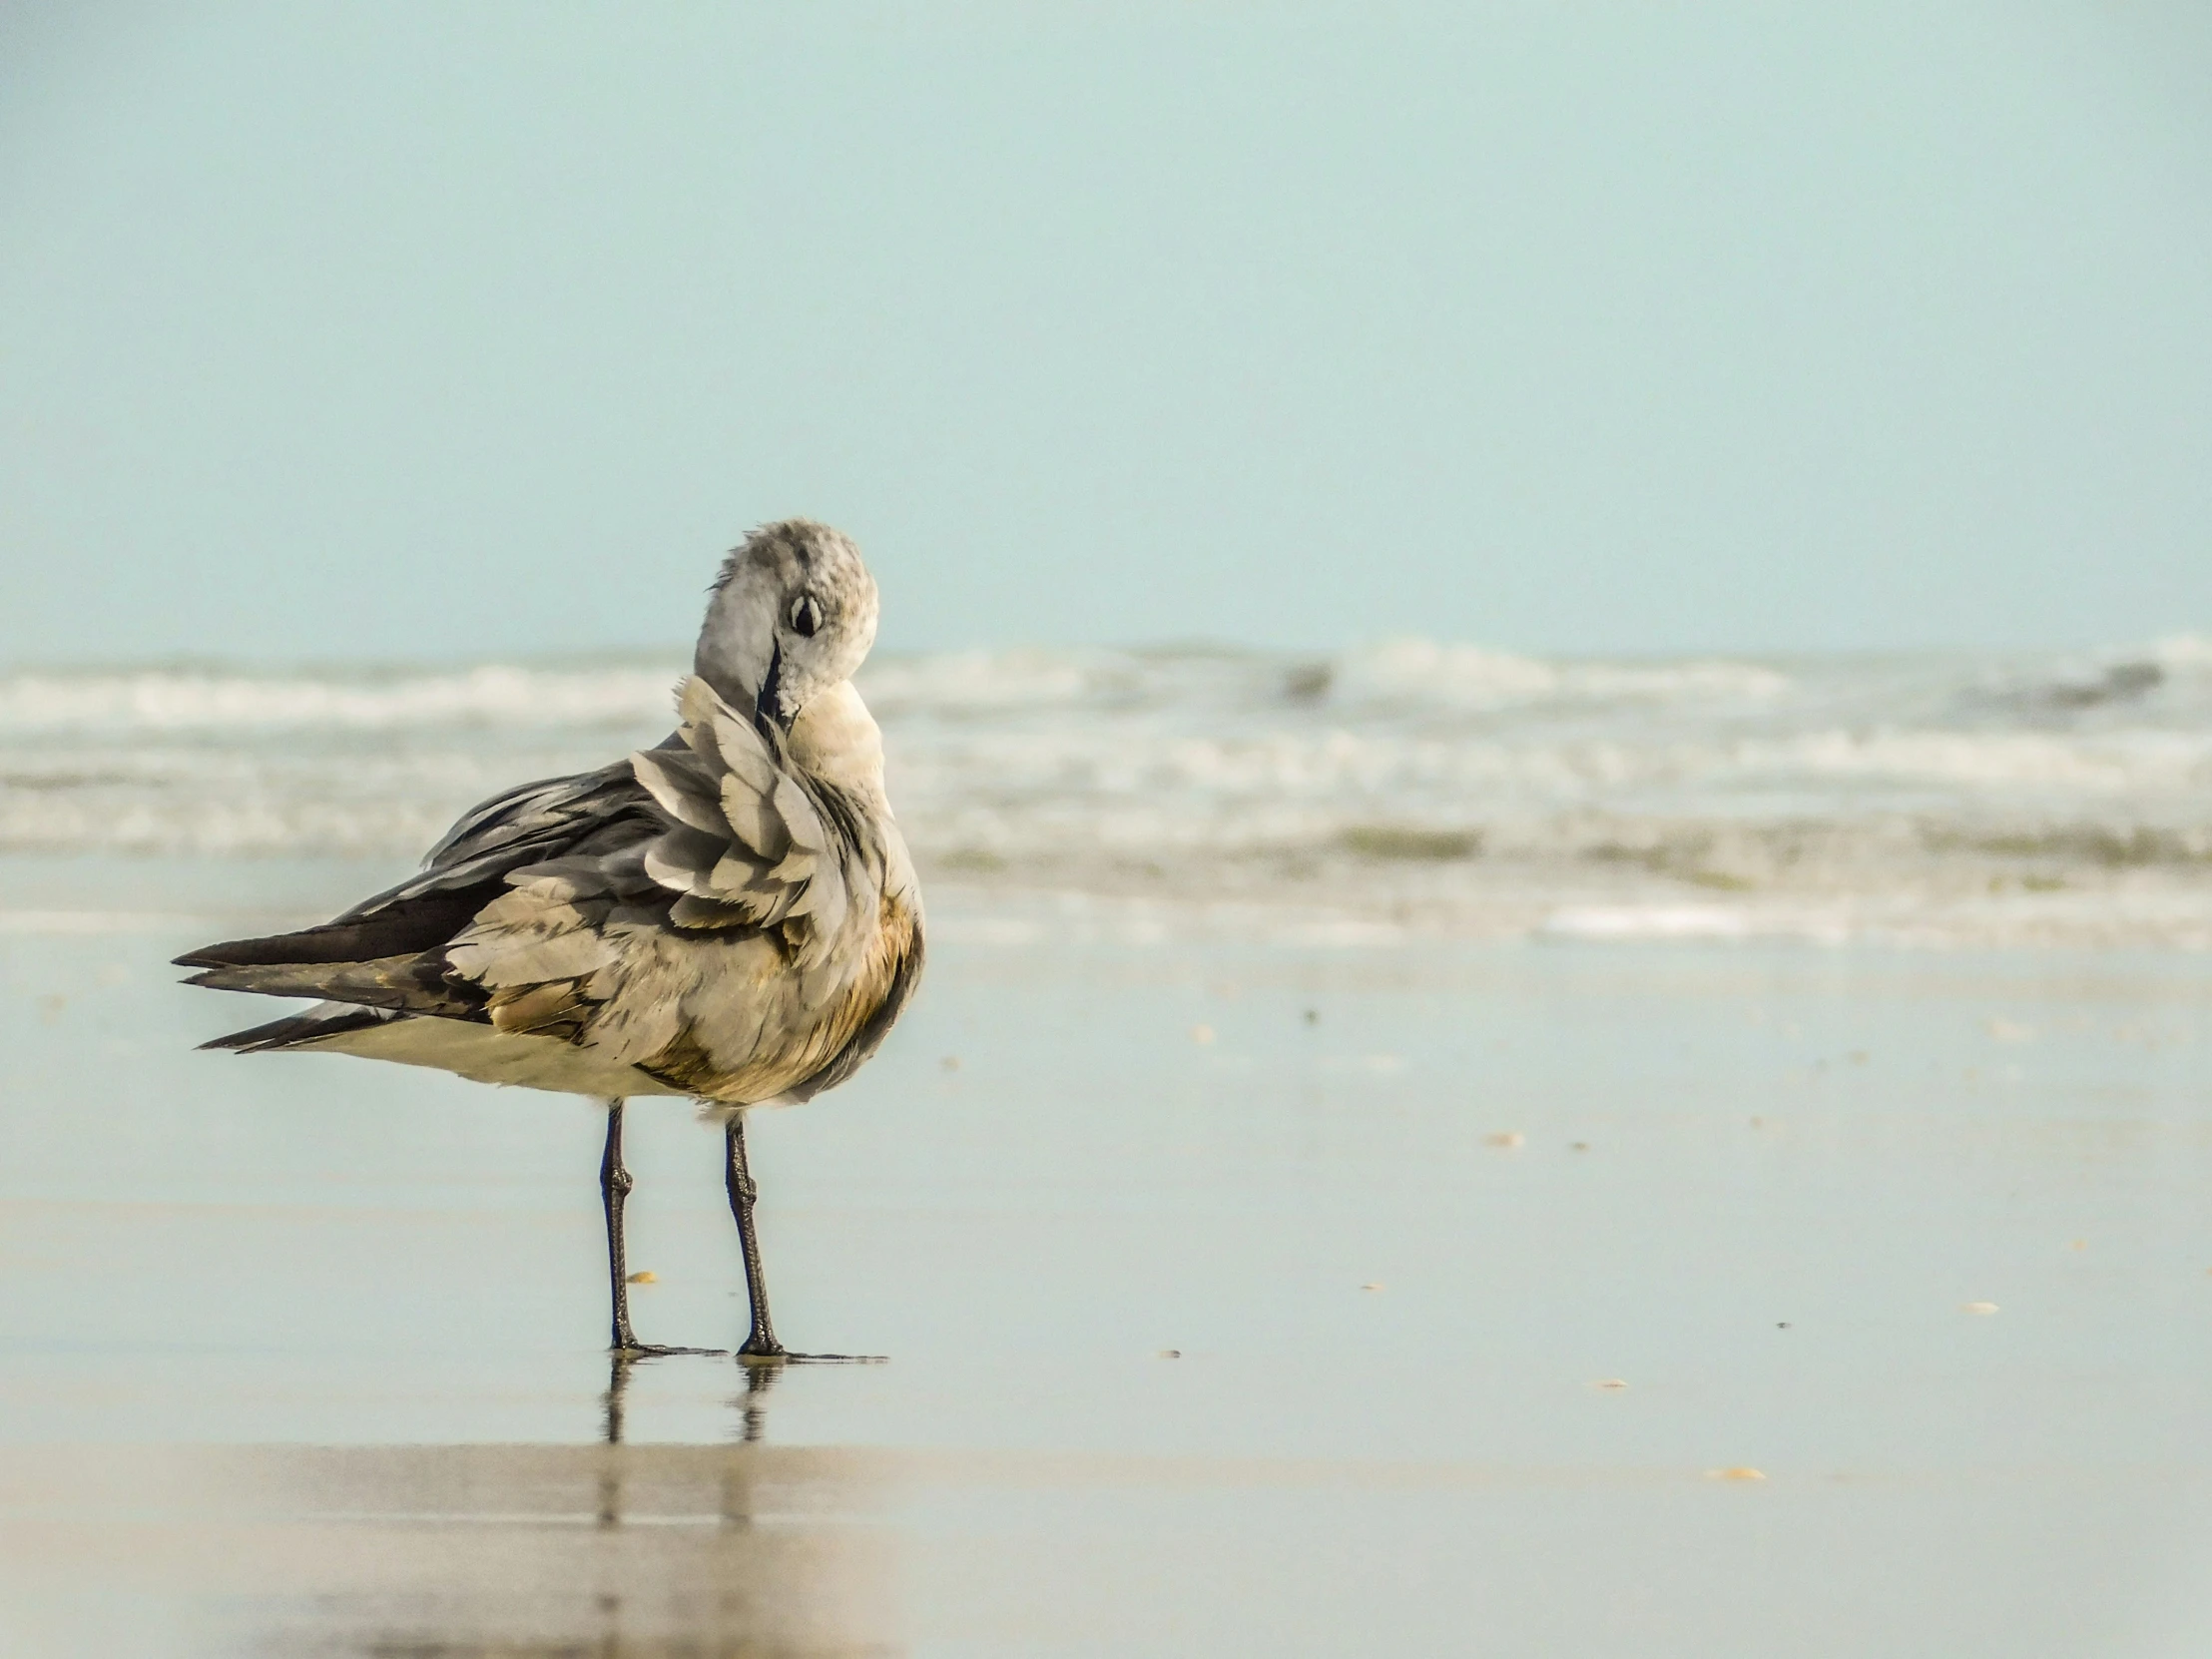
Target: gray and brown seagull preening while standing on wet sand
<point x="729" y="917"/>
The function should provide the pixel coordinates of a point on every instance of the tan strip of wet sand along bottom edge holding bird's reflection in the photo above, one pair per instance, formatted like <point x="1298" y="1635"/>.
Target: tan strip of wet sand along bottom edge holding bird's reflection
<point x="749" y="1550"/>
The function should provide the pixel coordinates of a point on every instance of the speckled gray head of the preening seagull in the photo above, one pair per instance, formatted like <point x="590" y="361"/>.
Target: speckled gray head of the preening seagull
<point x="793" y="616"/>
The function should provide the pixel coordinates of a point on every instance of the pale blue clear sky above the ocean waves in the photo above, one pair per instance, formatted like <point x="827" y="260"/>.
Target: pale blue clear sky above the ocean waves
<point x="446" y="331"/>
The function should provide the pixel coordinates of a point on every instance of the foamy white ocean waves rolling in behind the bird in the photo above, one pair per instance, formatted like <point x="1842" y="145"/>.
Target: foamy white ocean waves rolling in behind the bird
<point x="1408" y="786"/>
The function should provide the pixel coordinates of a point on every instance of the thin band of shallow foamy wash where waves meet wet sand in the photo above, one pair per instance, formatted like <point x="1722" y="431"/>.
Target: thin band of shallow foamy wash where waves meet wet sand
<point x="103" y="893"/>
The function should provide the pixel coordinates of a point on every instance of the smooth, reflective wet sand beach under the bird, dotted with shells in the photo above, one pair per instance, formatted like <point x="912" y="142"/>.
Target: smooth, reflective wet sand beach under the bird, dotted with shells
<point x="1240" y="1297"/>
